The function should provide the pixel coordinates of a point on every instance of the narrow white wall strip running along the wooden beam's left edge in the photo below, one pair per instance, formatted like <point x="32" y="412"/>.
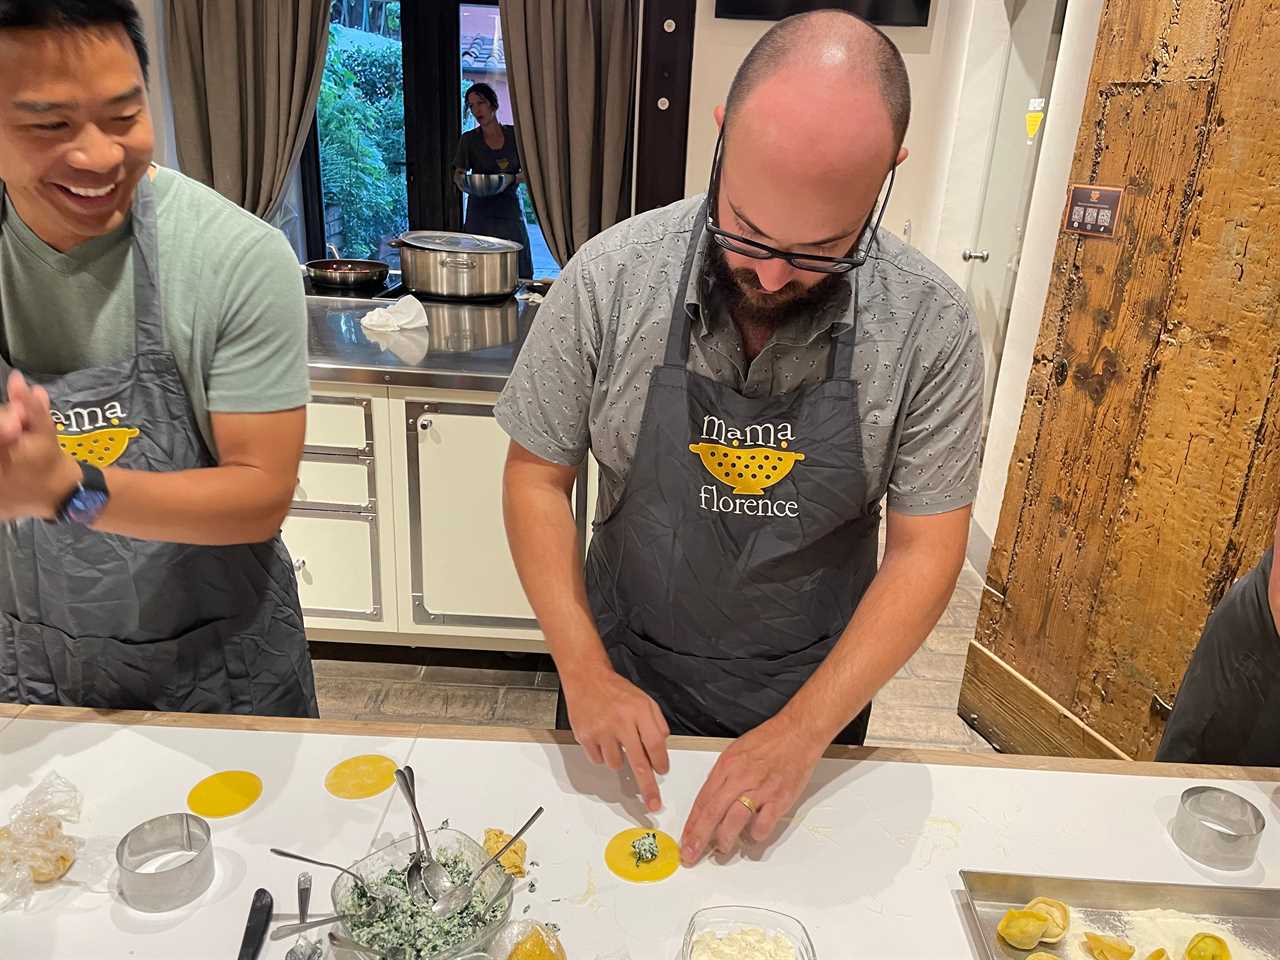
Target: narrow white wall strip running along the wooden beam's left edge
<point x="1062" y="126"/>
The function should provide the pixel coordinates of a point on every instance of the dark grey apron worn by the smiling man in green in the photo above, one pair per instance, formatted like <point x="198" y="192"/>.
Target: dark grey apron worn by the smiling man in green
<point x="97" y="620"/>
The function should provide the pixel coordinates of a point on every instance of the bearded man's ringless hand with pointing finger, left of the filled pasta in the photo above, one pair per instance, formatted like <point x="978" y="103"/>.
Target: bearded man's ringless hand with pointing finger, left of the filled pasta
<point x="614" y="719"/>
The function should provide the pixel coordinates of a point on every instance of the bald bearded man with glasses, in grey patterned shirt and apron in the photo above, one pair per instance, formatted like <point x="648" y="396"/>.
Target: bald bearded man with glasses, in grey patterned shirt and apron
<point x="755" y="372"/>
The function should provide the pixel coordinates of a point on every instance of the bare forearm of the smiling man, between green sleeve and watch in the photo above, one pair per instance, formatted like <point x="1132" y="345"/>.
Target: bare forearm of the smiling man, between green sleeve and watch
<point x="226" y="505"/>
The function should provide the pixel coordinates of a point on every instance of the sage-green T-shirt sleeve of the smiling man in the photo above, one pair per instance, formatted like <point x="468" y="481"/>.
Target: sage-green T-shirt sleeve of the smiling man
<point x="260" y="359"/>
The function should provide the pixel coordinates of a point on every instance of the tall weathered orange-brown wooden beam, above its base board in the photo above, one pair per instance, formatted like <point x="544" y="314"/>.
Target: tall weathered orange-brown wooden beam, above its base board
<point x="1146" y="473"/>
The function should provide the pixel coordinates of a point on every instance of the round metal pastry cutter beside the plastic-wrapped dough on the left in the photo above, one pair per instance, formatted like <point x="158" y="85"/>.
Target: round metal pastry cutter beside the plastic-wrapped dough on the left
<point x="166" y="863"/>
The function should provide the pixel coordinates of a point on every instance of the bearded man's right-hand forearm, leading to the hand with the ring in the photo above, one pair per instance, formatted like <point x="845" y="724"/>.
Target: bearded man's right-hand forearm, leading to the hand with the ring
<point x="902" y="606"/>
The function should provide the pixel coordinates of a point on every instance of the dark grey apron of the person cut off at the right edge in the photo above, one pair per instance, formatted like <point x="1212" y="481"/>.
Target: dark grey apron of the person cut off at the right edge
<point x="1228" y="707"/>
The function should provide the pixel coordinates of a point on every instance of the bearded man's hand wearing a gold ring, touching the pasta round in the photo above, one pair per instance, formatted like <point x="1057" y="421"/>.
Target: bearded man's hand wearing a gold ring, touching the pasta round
<point x="770" y="766"/>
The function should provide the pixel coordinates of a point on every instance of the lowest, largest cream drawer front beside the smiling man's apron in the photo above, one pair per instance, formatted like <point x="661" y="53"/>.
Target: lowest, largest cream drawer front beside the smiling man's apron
<point x="336" y="559"/>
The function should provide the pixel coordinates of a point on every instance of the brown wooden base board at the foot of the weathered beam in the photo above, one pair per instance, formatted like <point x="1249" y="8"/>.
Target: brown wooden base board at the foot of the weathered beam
<point x="1020" y="717"/>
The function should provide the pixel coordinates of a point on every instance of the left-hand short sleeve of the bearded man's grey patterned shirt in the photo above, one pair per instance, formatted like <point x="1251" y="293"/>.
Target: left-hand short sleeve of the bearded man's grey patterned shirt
<point x="547" y="404"/>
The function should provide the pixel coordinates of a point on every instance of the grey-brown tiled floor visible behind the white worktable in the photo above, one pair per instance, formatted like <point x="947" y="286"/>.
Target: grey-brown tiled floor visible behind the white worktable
<point x="359" y="682"/>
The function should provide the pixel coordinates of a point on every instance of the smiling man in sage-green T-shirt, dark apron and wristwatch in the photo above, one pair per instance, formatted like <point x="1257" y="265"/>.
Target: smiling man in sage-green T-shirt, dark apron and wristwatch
<point x="153" y="391"/>
